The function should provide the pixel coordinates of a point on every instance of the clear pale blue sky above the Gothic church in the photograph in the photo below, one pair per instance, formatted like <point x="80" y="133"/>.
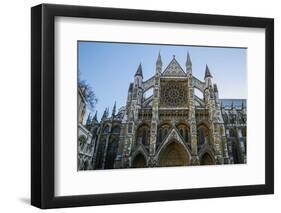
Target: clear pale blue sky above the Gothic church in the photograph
<point x="110" y="67"/>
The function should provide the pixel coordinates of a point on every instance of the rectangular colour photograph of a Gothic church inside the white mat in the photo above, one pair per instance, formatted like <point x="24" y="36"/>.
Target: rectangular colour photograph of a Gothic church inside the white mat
<point x="145" y="105"/>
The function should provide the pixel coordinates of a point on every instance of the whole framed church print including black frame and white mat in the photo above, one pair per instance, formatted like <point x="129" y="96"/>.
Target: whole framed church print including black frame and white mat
<point x="139" y="106"/>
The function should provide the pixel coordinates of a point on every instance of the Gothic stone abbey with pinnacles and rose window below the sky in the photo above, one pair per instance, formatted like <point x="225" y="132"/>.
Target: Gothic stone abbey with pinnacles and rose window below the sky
<point x="170" y="127"/>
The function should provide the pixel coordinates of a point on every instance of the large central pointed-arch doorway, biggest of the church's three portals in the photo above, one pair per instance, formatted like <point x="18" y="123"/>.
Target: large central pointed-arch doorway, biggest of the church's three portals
<point x="173" y="154"/>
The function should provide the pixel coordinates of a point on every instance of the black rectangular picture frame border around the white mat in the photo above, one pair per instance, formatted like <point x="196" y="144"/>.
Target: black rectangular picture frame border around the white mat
<point x="43" y="105"/>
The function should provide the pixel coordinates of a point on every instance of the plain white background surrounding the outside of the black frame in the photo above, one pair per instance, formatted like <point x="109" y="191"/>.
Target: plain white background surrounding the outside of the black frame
<point x="15" y="105"/>
